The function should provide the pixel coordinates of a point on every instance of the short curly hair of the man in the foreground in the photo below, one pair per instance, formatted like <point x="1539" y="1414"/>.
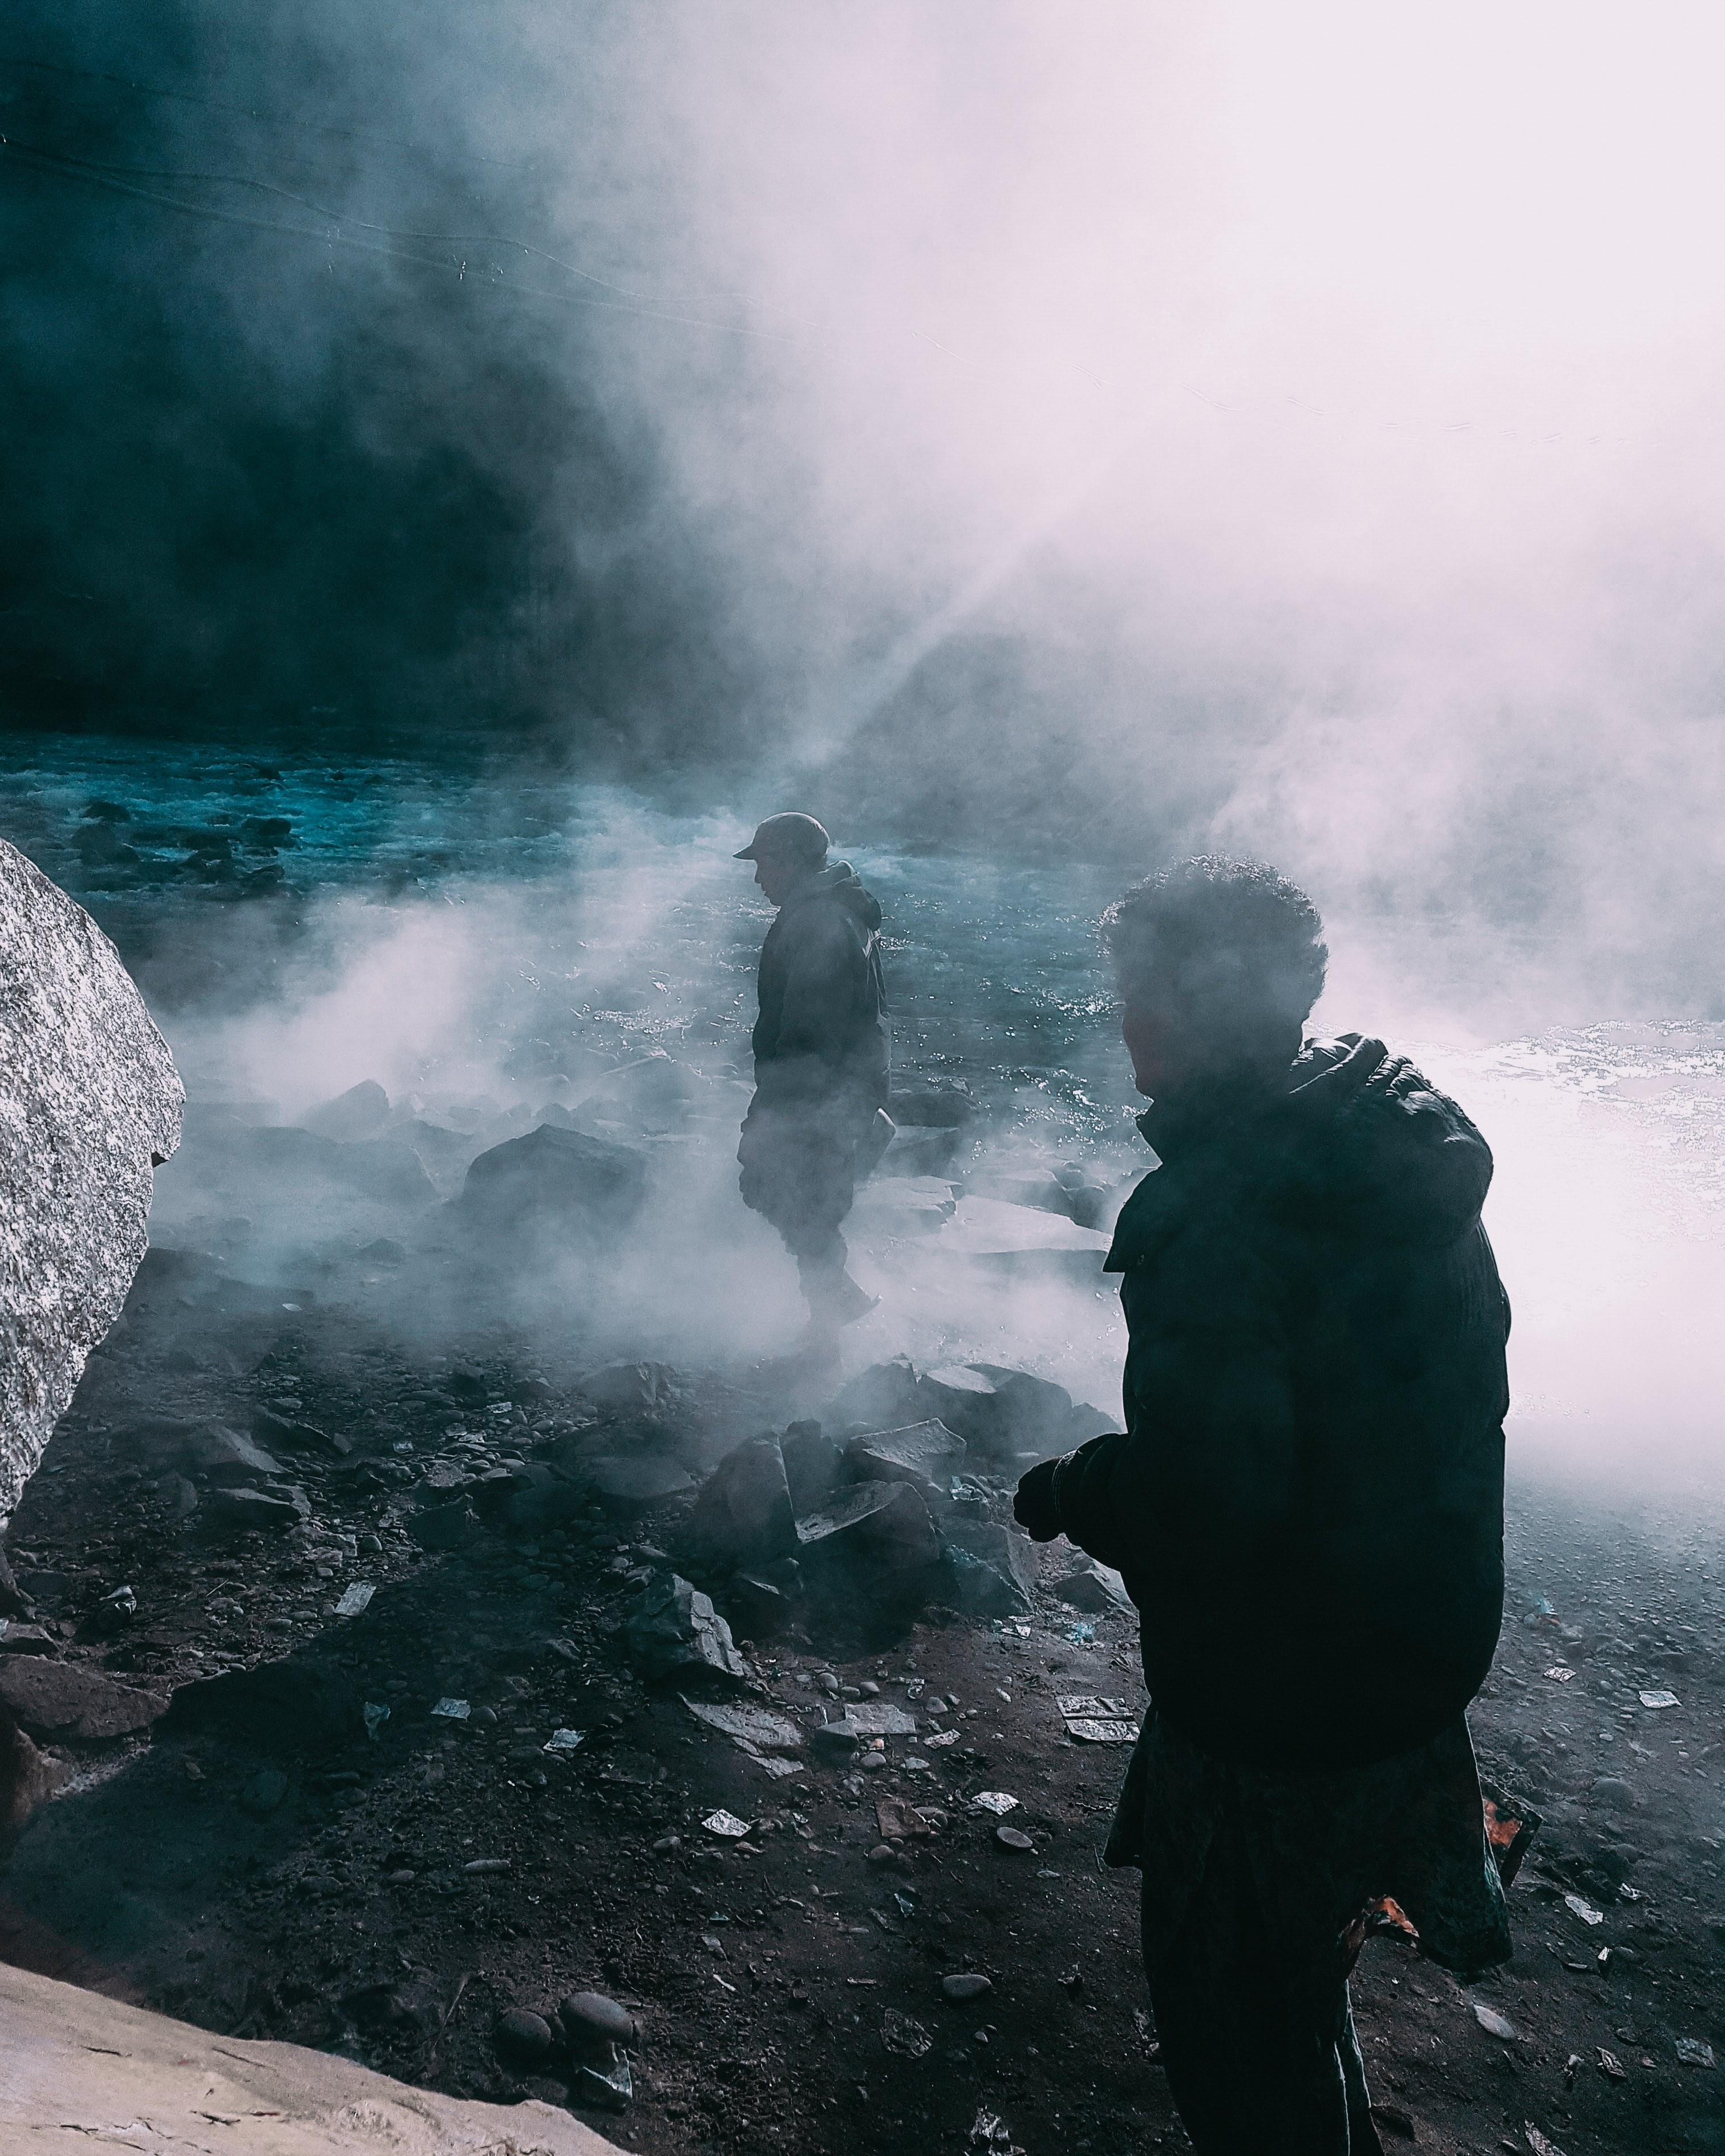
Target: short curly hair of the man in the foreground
<point x="1228" y="939"/>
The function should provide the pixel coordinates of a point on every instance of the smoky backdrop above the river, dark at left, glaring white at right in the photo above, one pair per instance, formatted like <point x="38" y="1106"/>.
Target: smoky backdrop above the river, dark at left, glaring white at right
<point x="1086" y="434"/>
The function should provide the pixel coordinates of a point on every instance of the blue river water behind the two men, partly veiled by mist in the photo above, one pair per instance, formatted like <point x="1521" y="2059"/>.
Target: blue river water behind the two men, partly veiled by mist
<point x="484" y="943"/>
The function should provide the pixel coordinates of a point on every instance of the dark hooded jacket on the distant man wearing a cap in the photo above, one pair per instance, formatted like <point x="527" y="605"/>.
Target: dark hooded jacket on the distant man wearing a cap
<point x="823" y="1032"/>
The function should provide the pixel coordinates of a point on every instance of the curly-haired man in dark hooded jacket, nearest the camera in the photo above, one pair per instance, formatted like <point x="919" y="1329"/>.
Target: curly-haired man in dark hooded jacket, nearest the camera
<point x="1306" y="1506"/>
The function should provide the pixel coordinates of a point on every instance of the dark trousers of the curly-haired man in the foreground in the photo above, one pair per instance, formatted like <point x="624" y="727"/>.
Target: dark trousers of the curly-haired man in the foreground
<point x="1258" y="2045"/>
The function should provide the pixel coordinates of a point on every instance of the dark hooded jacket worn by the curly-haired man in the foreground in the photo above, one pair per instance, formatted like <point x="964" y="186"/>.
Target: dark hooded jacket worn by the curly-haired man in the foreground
<point x="1308" y="1502"/>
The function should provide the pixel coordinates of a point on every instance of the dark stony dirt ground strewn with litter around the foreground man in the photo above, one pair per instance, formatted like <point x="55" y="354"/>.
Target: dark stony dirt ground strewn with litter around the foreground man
<point x="279" y="1872"/>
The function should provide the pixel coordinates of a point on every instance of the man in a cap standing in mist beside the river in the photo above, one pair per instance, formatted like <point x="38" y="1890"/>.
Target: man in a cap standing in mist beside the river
<point x="820" y="1060"/>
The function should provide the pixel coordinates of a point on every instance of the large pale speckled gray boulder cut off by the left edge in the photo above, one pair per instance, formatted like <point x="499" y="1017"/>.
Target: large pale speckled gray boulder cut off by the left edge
<point x="89" y="1107"/>
